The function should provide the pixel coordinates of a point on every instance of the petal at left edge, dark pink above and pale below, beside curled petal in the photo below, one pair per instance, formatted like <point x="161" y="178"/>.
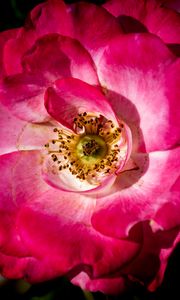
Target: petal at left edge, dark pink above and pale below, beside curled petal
<point x="23" y="94"/>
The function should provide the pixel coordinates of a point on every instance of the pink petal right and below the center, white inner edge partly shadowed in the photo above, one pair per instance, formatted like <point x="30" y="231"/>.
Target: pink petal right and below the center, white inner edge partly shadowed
<point x="139" y="199"/>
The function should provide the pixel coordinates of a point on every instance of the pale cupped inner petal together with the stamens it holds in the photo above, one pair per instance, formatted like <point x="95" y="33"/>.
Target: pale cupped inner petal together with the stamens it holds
<point x="88" y="157"/>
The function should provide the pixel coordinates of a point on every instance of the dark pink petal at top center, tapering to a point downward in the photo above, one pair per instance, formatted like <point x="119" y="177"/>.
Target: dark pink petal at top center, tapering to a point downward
<point x="103" y="26"/>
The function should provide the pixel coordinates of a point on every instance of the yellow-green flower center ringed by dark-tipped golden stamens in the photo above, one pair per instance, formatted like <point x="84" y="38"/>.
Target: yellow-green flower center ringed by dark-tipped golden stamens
<point x="91" y="151"/>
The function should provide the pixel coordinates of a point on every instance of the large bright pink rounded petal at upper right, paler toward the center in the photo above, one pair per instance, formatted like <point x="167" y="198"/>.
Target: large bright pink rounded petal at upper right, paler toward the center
<point x="144" y="73"/>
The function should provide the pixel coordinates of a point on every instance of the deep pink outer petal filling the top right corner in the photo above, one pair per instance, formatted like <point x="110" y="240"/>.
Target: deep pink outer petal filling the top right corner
<point x="159" y="20"/>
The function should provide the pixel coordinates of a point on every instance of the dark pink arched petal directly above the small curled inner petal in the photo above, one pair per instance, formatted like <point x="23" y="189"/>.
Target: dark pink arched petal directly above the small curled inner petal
<point x="54" y="56"/>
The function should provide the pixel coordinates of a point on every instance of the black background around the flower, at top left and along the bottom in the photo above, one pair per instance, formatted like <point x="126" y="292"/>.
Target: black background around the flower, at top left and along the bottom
<point x="13" y="14"/>
